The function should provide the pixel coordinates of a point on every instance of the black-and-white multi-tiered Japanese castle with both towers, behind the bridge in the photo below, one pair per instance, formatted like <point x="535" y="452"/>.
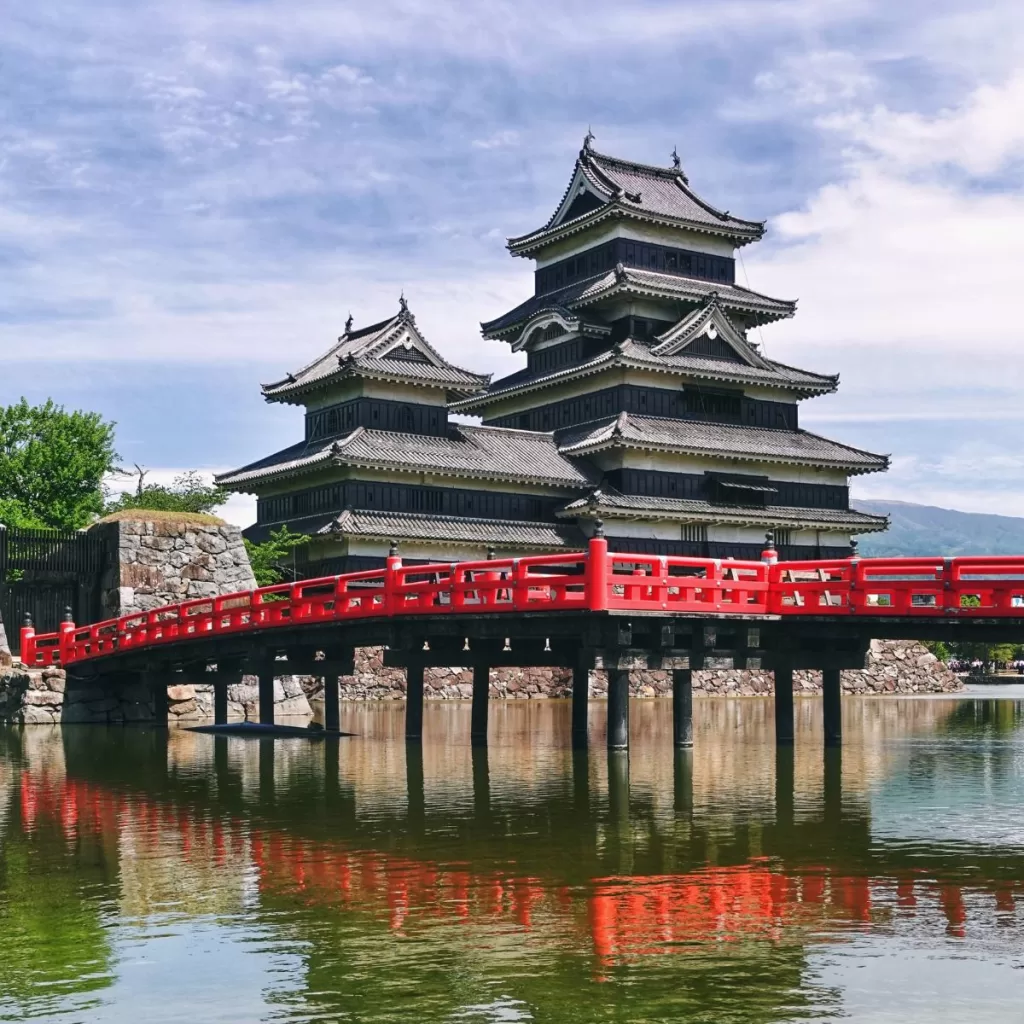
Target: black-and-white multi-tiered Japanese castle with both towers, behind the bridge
<point x="644" y="402"/>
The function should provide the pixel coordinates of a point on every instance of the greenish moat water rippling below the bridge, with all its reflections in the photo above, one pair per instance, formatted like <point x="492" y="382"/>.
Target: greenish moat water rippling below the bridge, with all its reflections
<point x="183" y="878"/>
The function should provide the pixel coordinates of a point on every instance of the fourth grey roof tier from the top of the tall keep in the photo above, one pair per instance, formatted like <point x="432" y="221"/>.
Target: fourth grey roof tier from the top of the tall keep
<point x="722" y="440"/>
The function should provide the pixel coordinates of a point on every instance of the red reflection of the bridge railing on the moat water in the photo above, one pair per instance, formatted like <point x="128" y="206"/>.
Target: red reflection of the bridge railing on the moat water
<point x="622" y="918"/>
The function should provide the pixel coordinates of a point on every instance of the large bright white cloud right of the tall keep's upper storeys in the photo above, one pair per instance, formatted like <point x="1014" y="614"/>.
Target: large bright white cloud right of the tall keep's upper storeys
<point x="904" y="267"/>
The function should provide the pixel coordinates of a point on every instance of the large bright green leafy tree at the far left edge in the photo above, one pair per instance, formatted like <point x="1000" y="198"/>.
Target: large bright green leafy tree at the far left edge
<point x="53" y="464"/>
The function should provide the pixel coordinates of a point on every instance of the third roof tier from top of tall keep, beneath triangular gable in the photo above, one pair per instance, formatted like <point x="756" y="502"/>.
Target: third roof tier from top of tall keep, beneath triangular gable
<point x="637" y="356"/>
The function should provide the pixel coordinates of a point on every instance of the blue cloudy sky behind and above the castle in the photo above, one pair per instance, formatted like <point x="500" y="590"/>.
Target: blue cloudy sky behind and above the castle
<point x="195" y="196"/>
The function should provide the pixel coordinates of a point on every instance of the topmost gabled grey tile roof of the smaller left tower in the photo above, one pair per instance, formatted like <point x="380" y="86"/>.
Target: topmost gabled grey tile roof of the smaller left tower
<point x="395" y="350"/>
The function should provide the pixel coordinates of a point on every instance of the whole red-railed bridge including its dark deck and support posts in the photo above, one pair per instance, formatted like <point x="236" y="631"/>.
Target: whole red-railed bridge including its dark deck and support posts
<point x="582" y="611"/>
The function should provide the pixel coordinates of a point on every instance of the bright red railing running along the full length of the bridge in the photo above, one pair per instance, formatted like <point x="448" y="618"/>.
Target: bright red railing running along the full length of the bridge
<point x="594" y="581"/>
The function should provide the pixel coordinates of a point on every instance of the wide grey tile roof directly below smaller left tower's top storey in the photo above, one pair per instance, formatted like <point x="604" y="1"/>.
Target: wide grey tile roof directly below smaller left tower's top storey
<point x="467" y="453"/>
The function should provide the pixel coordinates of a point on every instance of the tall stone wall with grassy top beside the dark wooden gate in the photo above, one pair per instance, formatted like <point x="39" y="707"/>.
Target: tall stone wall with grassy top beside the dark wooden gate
<point x="162" y="562"/>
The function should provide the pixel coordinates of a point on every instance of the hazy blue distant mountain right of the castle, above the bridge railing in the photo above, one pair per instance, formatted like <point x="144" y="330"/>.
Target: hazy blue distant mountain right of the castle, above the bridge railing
<point x="924" y="530"/>
